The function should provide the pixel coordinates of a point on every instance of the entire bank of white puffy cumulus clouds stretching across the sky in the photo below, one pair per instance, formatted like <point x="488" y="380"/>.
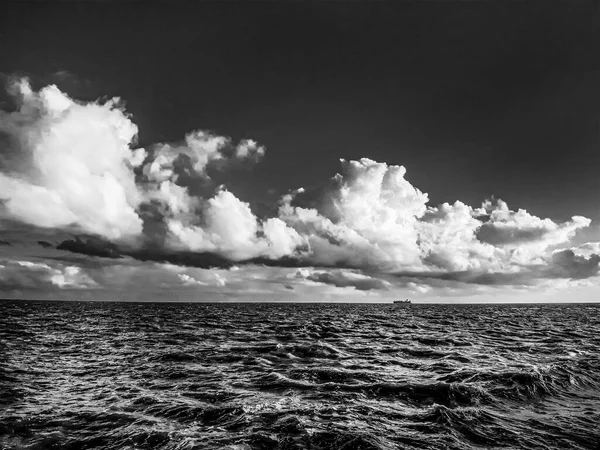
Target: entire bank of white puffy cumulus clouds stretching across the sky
<point x="74" y="166"/>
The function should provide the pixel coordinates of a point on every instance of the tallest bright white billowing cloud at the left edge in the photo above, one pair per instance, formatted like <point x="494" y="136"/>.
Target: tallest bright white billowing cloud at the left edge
<point x="69" y="164"/>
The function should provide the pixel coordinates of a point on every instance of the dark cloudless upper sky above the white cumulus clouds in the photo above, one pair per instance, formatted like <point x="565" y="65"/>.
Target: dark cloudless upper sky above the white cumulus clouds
<point x="474" y="97"/>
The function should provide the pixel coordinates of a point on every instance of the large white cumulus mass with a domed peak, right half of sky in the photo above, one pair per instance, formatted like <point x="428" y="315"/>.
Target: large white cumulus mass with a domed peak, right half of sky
<point x="371" y="217"/>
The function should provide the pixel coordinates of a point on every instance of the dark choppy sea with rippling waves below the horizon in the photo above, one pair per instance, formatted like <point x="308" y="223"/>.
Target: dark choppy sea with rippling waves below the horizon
<point x="256" y="376"/>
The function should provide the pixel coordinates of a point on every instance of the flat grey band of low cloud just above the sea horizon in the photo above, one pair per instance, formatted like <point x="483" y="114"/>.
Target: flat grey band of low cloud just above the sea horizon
<point x="126" y="278"/>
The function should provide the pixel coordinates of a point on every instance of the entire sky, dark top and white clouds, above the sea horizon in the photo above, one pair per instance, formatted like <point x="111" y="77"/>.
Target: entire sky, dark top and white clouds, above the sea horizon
<point x="444" y="151"/>
